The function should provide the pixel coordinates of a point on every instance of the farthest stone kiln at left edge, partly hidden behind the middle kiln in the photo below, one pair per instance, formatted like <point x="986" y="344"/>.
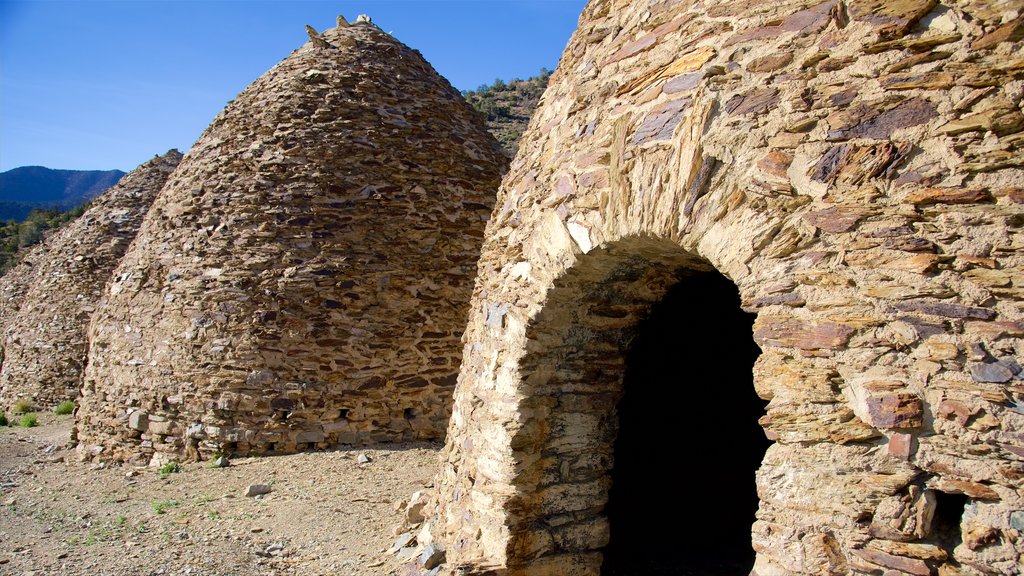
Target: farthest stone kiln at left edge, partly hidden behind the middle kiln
<point x="61" y="283"/>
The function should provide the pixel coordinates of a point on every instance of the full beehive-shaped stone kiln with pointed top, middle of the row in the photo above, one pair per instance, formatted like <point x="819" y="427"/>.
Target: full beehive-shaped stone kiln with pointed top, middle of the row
<point x="304" y="279"/>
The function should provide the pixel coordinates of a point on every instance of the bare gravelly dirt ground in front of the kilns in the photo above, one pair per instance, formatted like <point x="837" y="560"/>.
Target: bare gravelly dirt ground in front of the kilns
<point x="327" y="513"/>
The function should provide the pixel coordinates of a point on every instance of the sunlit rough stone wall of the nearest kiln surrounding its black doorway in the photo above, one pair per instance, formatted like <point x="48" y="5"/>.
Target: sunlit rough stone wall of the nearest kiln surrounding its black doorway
<point x="856" y="169"/>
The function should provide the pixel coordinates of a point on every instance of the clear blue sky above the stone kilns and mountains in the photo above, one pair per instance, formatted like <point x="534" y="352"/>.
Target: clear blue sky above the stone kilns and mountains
<point x="89" y="85"/>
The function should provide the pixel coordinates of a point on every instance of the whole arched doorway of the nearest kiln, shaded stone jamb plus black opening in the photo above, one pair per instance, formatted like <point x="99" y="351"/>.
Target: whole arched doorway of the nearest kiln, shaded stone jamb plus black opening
<point x="607" y="320"/>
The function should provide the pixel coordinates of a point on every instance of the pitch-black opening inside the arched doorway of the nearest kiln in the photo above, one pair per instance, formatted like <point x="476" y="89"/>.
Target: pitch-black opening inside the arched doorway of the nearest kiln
<point x="684" y="496"/>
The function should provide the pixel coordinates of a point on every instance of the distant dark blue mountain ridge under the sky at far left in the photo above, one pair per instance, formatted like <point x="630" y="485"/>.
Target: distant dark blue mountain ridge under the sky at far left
<point x="28" y="188"/>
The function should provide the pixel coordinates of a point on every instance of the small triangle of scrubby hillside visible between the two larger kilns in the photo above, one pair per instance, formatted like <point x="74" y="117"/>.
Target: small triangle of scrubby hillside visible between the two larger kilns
<point x="508" y="107"/>
